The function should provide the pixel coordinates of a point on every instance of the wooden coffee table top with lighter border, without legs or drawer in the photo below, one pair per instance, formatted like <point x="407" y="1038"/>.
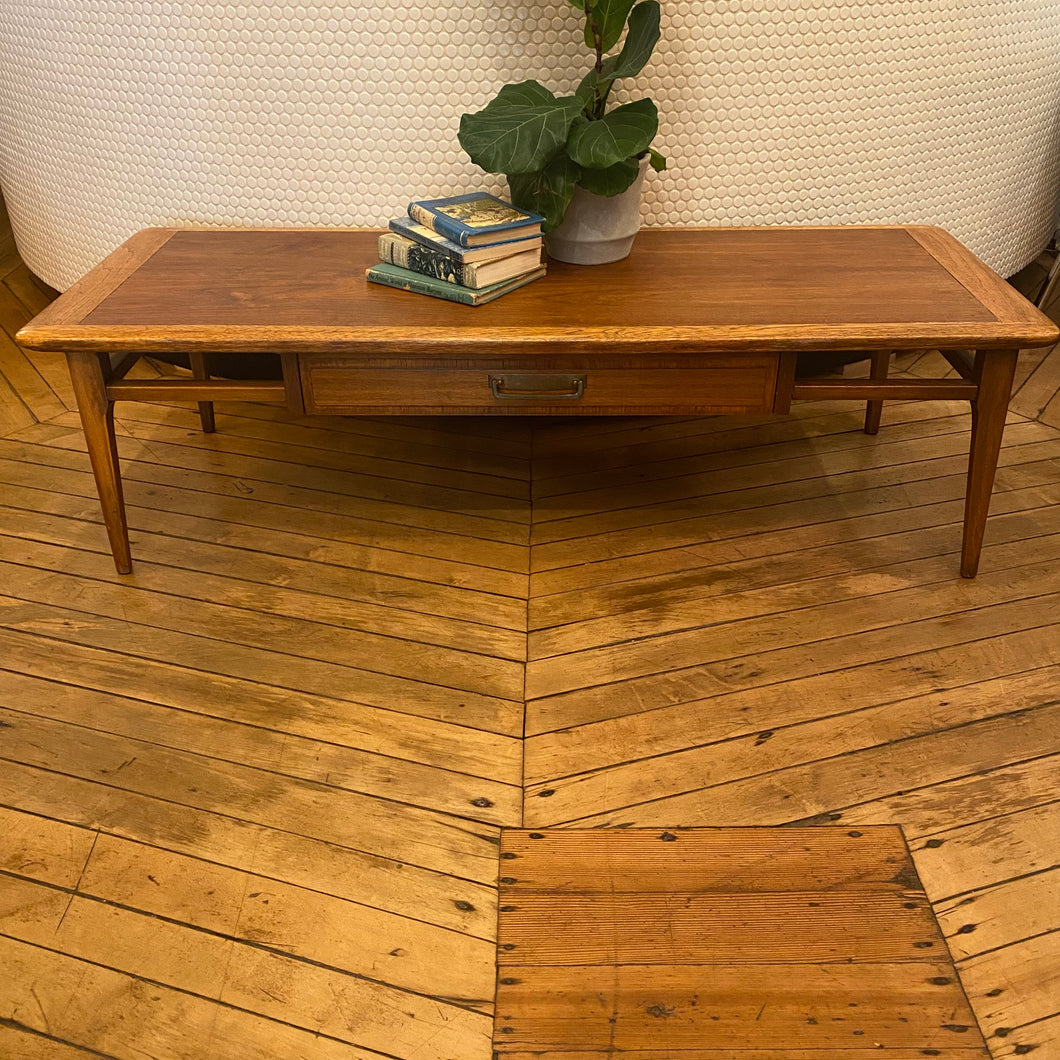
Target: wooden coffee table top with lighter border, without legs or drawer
<point x="694" y="290"/>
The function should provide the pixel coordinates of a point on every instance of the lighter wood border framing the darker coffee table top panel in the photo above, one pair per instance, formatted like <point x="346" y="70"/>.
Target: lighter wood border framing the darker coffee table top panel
<point x="1012" y="322"/>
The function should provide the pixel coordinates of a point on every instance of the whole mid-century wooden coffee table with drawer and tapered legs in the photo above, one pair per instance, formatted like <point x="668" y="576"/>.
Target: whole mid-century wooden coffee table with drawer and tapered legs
<point x="695" y="322"/>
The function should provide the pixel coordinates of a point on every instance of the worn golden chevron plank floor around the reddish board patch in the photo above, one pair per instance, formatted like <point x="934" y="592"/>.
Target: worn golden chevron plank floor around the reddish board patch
<point x="252" y="794"/>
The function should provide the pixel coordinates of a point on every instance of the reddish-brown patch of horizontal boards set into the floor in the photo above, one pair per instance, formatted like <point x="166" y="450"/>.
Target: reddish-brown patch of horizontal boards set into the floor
<point x="652" y="957"/>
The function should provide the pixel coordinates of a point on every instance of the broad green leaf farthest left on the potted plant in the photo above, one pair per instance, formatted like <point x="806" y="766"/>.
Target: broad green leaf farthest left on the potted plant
<point x="520" y="130"/>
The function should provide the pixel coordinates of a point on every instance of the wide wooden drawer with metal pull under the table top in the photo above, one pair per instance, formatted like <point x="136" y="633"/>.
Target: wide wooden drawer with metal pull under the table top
<point x="337" y="385"/>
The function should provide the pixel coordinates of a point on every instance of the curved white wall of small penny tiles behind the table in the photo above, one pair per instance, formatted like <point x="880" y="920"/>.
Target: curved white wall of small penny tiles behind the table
<point x="118" y="115"/>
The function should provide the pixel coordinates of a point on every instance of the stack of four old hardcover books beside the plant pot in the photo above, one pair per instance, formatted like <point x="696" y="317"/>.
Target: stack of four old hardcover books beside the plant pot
<point x="466" y="249"/>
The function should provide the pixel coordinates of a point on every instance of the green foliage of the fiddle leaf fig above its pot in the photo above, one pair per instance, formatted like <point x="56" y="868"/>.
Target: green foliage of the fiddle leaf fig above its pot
<point x="549" y="146"/>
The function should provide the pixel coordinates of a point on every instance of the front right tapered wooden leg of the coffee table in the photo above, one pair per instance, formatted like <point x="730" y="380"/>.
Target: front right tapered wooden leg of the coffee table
<point x="995" y="370"/>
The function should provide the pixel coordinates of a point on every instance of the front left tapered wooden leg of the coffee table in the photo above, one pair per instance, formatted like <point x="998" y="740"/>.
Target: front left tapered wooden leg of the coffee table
<point x="89" y="373"/>
